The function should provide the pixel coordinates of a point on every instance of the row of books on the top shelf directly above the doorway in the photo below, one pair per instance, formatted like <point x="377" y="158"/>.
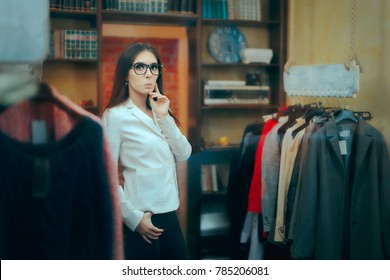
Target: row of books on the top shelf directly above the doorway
<point x="152" y="6"/>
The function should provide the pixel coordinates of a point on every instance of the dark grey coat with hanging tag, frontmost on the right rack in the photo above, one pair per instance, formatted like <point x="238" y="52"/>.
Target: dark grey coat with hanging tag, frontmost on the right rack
<point x="344" y="200"/>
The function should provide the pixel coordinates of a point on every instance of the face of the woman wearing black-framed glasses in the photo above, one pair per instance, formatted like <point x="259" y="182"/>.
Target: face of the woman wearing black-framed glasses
<point x="143" y="84"/>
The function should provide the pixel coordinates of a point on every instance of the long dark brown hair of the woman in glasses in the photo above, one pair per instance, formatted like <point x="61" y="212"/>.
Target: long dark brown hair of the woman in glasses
<point x="120" y="90"/>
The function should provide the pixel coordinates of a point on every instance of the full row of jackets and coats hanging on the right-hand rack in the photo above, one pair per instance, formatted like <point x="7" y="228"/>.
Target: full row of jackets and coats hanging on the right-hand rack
<point x="283" y="163"/>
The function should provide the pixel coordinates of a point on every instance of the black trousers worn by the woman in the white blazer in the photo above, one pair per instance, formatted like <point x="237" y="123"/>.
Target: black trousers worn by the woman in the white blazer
<point x="169" y="246"/>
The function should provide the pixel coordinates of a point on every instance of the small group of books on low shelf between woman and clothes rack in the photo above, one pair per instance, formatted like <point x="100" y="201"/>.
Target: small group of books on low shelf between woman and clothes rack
<point x="214" y="177"/>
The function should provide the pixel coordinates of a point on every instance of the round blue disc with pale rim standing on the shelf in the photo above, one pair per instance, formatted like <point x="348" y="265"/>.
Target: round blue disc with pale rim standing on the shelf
<point x="225" y="44"/>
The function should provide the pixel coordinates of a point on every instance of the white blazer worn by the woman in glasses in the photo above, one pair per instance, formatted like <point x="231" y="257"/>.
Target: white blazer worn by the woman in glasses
<point x="147" y="151"/>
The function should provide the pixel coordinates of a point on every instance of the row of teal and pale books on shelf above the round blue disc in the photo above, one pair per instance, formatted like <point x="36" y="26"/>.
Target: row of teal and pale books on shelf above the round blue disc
<point x="232" y="9"/>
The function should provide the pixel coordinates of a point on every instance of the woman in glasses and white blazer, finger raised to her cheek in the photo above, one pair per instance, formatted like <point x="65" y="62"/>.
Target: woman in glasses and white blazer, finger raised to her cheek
<point x="146" y="143"/>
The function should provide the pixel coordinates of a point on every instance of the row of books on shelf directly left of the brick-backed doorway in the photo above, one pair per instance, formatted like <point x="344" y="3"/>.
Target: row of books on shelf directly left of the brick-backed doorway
<point x="73" y="44"/>
